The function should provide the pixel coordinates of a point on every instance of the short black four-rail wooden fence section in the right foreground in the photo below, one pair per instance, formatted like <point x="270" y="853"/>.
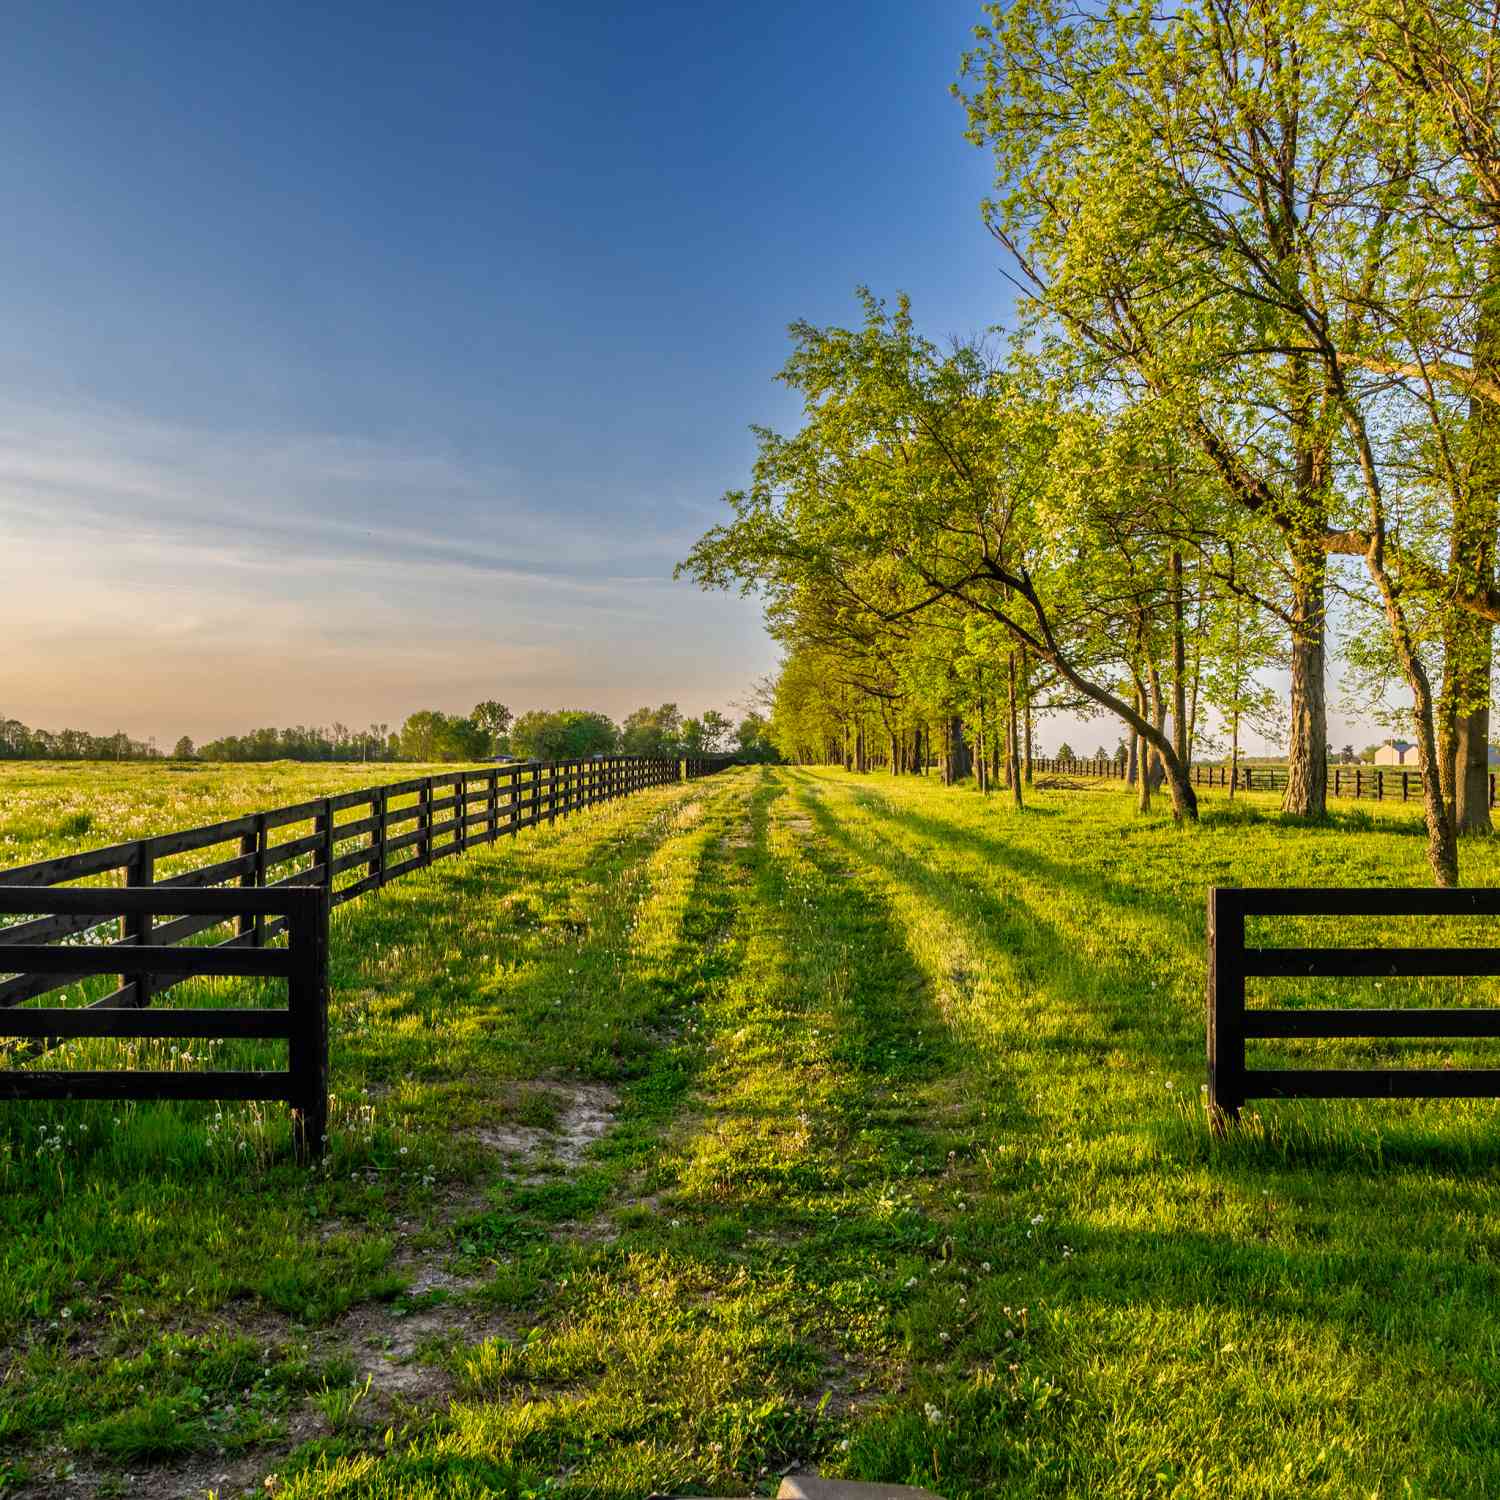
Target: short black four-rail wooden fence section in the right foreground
<point x="1231" y="1024"/>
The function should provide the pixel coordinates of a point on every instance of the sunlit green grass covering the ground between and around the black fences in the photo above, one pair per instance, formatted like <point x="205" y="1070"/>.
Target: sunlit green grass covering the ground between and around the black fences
<point x="782" y="1118"/>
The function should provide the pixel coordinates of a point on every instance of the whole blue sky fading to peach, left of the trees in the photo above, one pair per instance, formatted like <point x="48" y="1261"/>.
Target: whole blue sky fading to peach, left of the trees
<point x="359" y="359"/>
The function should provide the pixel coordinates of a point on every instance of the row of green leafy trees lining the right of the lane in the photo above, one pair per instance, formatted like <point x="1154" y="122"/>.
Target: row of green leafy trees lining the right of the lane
<point x="1253" y="403"/>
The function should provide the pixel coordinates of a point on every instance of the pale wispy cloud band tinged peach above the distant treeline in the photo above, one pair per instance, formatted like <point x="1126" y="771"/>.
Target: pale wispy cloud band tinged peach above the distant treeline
<point x="157" y="577"/>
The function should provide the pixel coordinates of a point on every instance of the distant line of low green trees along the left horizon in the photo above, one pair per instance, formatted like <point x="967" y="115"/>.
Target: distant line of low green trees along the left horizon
<point x="428" y="736"/>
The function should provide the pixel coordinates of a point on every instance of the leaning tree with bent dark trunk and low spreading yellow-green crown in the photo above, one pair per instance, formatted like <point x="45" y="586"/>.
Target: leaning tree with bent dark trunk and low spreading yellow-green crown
<point x="928" y="485"/>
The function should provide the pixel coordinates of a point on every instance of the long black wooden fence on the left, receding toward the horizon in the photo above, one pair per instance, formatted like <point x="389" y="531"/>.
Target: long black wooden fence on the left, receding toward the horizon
<point x="289" y="869"/>
